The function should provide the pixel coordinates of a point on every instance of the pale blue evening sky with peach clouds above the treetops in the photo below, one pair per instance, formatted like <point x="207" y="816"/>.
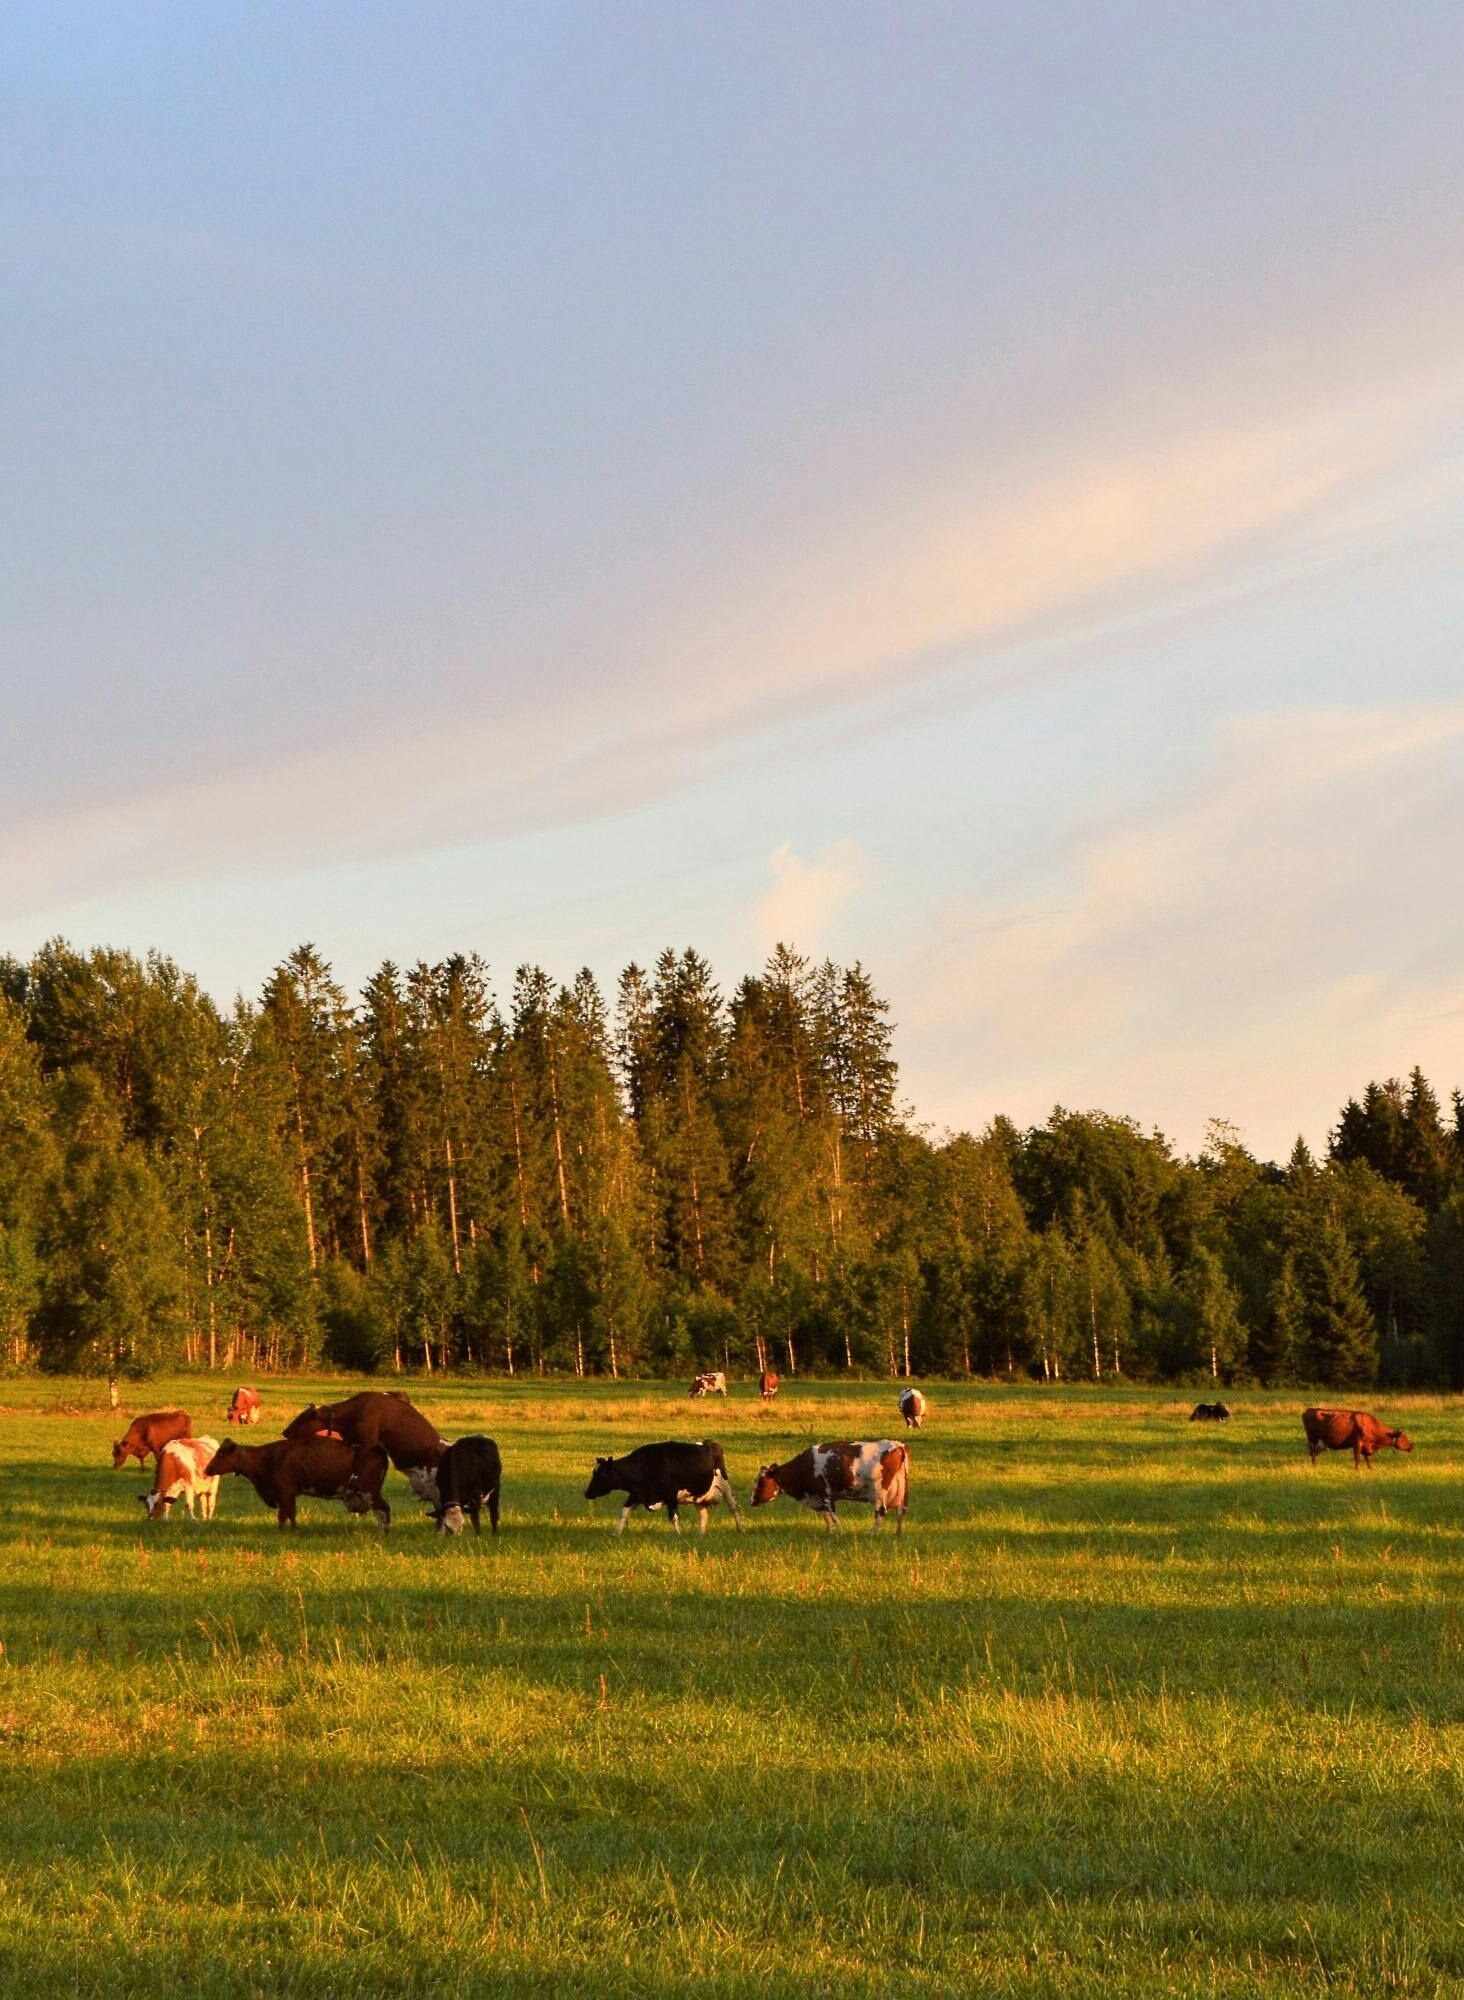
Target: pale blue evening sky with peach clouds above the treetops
<point x="971" y="489"/>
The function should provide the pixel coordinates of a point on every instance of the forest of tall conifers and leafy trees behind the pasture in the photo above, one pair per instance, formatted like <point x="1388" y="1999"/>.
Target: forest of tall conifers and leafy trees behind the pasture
<point x="433" y="1179"/>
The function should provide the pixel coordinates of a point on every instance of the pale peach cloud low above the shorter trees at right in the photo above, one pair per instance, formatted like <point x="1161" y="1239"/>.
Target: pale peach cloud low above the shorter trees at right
<point x="1253" y="951"/>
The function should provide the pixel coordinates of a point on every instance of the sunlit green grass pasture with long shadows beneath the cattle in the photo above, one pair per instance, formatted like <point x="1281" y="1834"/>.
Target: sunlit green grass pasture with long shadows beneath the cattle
<point x="1135" y="1707"/>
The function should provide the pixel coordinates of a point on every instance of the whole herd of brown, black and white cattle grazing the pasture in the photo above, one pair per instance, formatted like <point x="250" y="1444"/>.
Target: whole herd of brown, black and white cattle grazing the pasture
<point x="343" y="1453"/>
